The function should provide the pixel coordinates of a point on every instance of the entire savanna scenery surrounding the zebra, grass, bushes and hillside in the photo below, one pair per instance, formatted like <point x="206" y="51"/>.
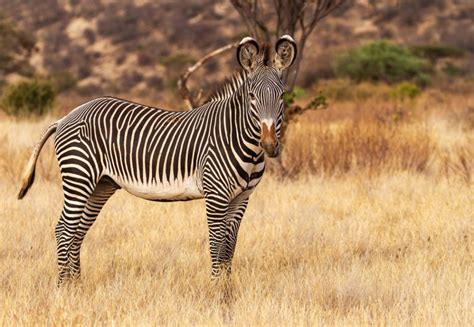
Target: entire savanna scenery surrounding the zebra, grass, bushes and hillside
<point x="365" y="218"/>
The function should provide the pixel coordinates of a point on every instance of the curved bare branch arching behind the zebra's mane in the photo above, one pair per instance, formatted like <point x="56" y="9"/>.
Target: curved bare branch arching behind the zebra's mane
<point x="192" y="102"/>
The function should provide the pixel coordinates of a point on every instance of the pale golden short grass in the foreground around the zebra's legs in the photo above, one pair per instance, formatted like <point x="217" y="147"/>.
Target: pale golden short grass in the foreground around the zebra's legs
<point x="393" y="249"/>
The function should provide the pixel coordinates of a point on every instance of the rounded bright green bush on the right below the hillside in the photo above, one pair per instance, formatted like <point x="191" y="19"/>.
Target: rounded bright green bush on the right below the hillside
<point x="381" y="61"/>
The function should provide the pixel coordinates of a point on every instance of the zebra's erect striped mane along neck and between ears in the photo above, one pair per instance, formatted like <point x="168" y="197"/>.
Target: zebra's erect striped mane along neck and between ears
<point x="230" y="85"/>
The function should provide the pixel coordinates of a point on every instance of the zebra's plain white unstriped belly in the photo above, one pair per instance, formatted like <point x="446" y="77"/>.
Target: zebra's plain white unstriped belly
<point x="176" y="190"/>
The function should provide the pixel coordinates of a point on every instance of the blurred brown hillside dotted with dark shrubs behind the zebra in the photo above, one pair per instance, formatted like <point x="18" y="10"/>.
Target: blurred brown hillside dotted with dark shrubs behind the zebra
<point x="140" y="47"/>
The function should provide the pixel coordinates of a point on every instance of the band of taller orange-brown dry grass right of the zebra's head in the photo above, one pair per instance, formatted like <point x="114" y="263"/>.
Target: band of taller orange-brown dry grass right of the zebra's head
<point x="432" y="135"/>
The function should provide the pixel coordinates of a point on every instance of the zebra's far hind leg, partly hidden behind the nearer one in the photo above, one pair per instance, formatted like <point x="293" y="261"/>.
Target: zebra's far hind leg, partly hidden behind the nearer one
<point x="103" y="191"/>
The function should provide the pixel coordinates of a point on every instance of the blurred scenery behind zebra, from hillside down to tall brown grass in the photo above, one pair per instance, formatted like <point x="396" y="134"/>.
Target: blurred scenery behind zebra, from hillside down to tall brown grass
<point x="367" y="70"/>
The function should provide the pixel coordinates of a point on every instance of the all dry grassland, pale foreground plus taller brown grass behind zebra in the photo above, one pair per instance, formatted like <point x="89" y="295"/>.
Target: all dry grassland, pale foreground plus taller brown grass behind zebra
<point x="373" y="224"/>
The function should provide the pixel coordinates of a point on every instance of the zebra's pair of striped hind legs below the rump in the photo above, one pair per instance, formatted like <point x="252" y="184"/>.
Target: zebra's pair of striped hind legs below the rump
<point x="77" y="217"/>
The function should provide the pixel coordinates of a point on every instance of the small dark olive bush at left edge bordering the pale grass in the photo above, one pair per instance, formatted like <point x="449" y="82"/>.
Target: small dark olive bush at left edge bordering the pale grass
<point x="28" y="97"/>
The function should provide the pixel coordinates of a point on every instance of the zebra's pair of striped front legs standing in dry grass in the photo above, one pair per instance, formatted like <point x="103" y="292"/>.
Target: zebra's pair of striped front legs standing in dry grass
<point x="224" y="222"/>
